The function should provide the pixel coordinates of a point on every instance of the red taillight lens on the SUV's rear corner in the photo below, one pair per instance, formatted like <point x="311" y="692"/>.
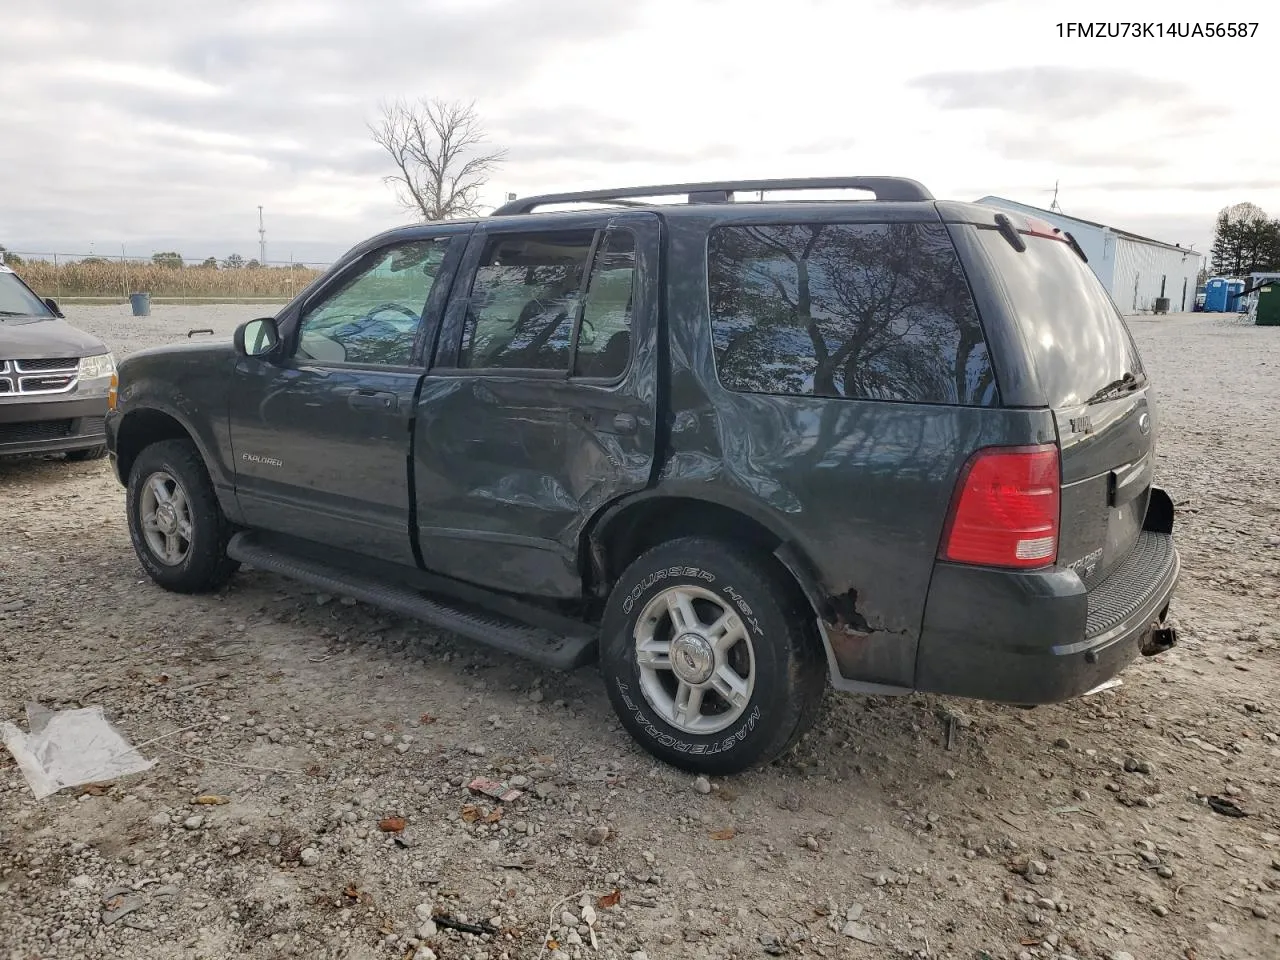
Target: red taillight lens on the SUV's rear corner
<point x="1005" y="511"/>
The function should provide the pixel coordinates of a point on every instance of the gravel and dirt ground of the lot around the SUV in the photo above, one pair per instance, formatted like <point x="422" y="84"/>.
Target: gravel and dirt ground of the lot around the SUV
<point x="1075" y="831"/>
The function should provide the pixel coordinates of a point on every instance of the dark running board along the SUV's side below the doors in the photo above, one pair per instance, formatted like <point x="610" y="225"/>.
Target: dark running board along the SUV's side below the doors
<point x="532" y="643"/>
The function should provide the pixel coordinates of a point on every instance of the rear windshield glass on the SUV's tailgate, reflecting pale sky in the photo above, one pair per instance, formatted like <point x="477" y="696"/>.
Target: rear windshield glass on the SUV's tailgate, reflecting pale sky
<point x="1082" y="348"/>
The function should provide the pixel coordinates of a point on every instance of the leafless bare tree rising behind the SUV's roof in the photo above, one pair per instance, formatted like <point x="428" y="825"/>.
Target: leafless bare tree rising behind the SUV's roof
<point x="441" y="157"/>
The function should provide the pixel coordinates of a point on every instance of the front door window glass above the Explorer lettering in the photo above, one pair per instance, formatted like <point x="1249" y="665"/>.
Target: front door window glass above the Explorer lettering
<point x="374" y="317"/>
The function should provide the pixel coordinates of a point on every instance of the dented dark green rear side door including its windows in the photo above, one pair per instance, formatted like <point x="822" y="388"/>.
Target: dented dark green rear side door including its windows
<point x="542" y="403"/>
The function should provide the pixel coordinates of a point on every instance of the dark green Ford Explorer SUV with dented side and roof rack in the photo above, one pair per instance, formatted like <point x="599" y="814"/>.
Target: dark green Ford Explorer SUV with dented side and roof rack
<point x="738" y="451"/>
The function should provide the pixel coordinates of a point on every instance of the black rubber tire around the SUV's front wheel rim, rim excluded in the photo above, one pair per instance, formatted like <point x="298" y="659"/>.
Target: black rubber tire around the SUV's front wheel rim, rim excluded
<point x="205" y="565"/>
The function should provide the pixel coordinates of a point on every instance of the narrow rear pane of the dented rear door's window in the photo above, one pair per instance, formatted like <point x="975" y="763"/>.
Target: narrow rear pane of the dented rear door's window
<point x="605" y="341"/>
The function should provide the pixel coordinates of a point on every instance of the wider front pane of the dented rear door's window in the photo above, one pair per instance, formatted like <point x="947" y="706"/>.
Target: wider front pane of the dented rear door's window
<point x="524" y="301"/>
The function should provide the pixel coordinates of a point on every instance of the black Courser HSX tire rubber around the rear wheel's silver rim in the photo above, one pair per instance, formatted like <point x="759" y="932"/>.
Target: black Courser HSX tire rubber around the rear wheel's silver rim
<point x="790" y="673"/>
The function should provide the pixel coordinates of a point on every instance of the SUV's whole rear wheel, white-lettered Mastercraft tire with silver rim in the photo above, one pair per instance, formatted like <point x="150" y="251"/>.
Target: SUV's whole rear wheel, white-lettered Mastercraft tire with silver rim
<point x="711" y="657"/>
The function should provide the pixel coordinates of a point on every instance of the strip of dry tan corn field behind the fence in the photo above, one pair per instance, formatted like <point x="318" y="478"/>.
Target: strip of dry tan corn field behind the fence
<point x="117" y="278"/>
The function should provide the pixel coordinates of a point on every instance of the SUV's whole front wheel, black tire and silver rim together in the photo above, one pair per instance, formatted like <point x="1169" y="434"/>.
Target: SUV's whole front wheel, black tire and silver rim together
<point x="177" y="528"/>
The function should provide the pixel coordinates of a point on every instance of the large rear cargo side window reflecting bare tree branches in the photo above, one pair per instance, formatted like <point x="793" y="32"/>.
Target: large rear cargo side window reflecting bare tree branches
<point x="877" y="312"/>
